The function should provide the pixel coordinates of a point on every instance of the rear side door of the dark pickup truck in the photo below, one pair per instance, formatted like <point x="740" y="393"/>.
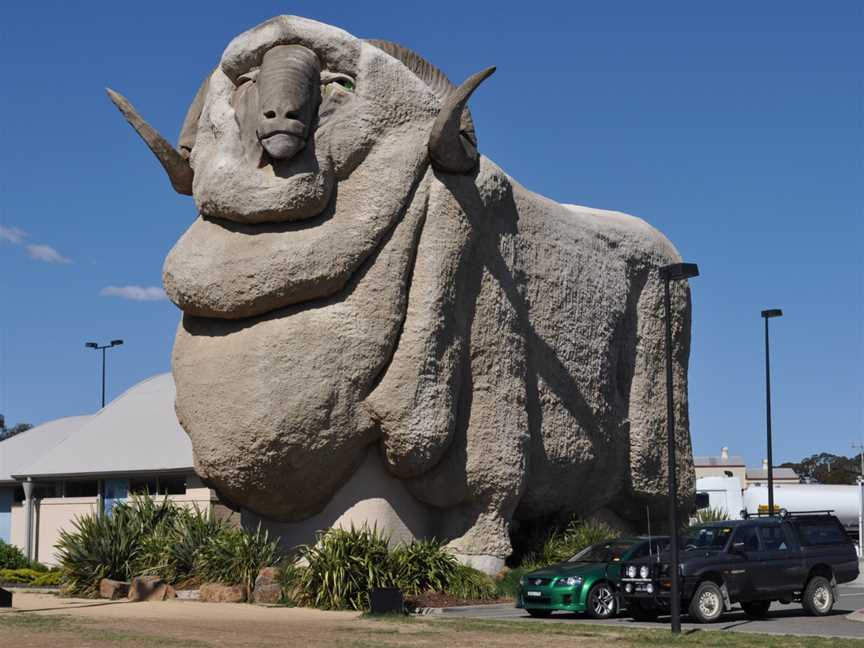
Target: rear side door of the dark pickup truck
<point x="781" y="569"/>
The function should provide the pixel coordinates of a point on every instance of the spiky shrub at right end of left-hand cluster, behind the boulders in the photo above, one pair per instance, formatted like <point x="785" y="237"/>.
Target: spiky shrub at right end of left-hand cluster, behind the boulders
<point x="235" y="556"/>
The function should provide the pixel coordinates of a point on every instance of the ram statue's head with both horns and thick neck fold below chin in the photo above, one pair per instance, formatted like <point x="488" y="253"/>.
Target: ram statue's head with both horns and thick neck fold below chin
<point x="274" y="136"/>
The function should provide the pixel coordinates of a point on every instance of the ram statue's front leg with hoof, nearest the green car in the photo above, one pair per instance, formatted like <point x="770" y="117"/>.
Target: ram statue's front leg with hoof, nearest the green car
<point x="480" y="479"/>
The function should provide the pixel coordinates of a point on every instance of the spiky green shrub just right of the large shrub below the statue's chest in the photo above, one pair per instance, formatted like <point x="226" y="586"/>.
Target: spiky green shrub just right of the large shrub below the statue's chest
<point x="423" y="565"/>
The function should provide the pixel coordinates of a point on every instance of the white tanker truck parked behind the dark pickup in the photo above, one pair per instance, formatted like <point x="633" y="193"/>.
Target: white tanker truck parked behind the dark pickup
<point x="725" y="493"/>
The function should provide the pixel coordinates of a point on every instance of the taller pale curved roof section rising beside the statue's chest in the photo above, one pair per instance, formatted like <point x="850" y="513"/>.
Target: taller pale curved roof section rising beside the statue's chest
<point x="135" y="433"/>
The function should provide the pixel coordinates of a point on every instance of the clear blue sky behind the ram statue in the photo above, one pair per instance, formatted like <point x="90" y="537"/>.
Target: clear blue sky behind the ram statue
<point x="735" y="128"/>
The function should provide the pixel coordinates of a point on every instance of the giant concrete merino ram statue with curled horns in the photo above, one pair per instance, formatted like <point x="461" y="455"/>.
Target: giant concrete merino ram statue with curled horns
<point x="381" y="325"/>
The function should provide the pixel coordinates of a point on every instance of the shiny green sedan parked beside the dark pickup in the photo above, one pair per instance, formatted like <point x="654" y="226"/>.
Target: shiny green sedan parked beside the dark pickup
<point x="587" y="581"/>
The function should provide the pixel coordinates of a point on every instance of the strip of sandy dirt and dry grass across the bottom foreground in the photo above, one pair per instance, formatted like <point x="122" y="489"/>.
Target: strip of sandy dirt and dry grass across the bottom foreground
<point x="41" y="620"/>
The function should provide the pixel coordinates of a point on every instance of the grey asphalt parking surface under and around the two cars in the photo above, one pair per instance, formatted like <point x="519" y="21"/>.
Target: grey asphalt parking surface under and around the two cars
<point x="782" y="619"/>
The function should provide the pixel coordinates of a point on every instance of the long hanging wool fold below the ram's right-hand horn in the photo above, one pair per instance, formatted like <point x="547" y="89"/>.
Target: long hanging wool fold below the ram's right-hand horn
<point x="416" y="400"/>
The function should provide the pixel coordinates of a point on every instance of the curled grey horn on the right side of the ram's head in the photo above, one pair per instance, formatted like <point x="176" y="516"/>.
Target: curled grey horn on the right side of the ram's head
<point x="449" y="149"/>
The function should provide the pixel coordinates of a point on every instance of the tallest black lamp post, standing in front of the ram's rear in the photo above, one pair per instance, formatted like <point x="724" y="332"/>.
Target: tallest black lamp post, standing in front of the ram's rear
<point x="670" y="273"/>
